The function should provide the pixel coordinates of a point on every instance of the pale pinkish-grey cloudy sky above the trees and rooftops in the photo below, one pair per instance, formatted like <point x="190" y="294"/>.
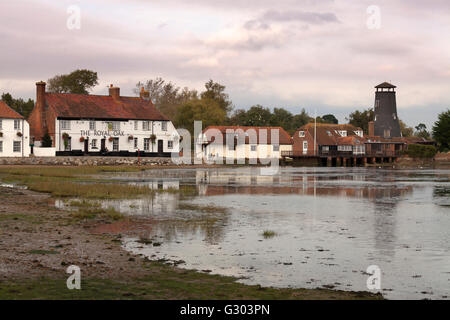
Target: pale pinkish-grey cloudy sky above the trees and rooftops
<point x="324" y="55"/>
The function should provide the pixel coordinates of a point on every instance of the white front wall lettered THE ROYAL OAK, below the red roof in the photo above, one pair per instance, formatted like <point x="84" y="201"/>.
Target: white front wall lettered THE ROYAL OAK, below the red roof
<point x="80" y="128"/>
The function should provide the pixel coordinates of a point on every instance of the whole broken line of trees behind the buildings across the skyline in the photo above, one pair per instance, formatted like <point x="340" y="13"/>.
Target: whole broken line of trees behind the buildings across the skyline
<point x="213" y="106"/>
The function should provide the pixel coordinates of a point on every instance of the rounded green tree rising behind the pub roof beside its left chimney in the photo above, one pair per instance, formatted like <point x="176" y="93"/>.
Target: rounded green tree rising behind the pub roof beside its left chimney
<point x="79" y="81"/>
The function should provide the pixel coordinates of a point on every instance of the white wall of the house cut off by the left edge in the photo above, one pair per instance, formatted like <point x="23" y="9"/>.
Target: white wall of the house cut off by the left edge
<point x="10" y="136"/>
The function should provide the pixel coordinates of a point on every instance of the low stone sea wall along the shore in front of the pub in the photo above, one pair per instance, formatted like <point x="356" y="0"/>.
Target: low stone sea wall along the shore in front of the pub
<point x="84" y="161"/>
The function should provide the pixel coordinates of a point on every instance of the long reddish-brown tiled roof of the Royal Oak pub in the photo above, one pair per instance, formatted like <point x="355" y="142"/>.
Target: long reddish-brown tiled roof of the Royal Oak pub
<point x="101" y="107"/>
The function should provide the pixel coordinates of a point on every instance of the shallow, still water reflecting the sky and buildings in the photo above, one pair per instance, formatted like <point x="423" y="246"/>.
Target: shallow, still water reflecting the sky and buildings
<point x="330" y="225"/>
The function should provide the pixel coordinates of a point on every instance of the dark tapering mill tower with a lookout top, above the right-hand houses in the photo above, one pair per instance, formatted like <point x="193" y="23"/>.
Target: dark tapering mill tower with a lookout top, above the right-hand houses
<point x="386" y="122"/>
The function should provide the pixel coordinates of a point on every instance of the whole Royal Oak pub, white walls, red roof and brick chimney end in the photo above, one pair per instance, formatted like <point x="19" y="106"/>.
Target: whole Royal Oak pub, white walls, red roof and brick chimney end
<point x="102" y="125"/>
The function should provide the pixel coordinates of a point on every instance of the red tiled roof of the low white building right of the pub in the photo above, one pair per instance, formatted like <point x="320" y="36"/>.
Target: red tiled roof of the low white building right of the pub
<point x="284" y="137"/>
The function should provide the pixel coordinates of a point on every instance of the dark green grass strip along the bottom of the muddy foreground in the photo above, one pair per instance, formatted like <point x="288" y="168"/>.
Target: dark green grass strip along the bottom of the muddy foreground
<point x="163" y="282"/>
